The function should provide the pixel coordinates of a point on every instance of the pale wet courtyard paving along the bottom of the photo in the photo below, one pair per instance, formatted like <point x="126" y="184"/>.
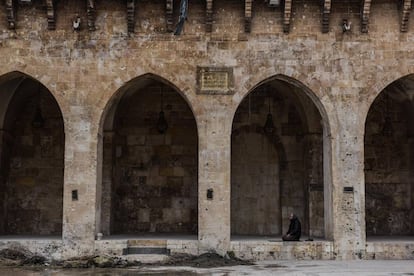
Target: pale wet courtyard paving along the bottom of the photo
<point x="261" y="268"/>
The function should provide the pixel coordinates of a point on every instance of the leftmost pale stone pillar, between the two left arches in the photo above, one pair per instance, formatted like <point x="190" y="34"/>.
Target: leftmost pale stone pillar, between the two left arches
<point x="80" y="183"/>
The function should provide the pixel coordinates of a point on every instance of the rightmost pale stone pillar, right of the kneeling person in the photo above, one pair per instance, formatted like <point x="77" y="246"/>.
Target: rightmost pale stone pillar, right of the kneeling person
<point x="348" y="210"/>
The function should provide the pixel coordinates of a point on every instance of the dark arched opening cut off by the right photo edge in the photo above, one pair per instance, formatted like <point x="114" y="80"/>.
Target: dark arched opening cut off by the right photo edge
<point x="389" y="161"/>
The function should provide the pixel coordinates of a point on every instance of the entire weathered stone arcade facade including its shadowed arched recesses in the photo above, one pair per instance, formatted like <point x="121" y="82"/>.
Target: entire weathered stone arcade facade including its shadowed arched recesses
<point x="329" y="91"/>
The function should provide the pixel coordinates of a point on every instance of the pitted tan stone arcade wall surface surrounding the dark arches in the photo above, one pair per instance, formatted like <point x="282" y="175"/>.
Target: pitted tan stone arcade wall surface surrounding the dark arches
<point x="340" y="73"/>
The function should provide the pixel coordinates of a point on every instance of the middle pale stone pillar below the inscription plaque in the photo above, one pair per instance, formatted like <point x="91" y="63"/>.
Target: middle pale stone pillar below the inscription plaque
<point x="214" y="179"/>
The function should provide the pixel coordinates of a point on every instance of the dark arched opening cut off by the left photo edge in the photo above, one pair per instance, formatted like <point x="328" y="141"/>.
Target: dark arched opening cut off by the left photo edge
<point x="31" y="158"/>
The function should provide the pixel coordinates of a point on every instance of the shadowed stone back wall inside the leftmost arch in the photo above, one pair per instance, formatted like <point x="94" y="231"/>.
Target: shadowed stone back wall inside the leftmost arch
<point x="34" y="187"/>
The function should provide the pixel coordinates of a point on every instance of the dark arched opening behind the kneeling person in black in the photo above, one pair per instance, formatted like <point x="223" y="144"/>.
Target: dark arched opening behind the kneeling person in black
<point x="277" y="162"/>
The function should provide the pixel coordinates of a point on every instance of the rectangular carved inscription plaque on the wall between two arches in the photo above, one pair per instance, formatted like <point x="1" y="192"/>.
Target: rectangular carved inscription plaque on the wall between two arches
<point x="215" y="80"/>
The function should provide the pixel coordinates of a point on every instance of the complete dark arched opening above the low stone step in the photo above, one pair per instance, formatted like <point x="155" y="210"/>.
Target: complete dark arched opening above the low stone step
<point x="150" y="162"/>
